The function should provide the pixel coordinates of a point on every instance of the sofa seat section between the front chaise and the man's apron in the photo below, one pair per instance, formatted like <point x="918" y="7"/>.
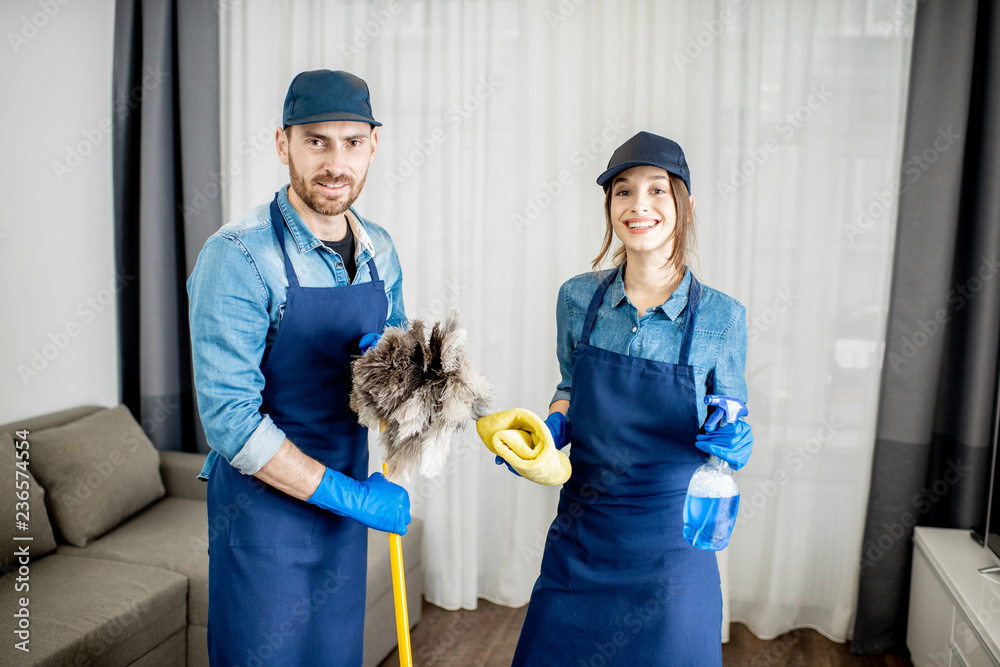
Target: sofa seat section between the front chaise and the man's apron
<point x="173" y="535"/>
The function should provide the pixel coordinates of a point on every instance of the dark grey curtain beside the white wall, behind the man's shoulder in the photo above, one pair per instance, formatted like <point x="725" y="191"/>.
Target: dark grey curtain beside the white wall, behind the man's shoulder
<point x="167" y="199"/>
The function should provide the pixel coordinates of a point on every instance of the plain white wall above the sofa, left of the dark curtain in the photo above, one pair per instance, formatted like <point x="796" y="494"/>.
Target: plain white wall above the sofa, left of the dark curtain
<point x="58" y="340"/>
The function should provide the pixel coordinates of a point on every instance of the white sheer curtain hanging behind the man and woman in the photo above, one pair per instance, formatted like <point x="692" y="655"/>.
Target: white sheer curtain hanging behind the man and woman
<point x="499" y="115"/>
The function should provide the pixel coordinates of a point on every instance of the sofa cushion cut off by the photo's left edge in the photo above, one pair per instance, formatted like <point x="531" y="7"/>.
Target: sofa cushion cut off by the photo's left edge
<point x="35" y="518"/>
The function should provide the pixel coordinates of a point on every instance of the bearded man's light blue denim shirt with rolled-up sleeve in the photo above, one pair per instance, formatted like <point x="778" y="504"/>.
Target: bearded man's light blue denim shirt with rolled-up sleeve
<point x="238" y="291"/>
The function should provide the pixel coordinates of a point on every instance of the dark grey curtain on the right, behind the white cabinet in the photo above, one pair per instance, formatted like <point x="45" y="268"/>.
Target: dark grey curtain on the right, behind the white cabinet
<point x="938" y="400"/>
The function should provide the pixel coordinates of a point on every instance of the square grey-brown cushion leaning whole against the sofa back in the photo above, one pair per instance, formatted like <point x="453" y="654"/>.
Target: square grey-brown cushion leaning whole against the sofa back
<point x="97" y="472"/>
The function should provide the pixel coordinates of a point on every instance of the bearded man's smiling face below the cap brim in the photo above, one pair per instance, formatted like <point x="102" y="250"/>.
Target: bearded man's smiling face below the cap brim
<point x="328" y="162"/>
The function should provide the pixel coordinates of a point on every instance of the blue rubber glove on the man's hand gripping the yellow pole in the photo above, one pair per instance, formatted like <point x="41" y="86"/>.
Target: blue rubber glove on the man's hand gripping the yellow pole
<point x="376" y="502"/>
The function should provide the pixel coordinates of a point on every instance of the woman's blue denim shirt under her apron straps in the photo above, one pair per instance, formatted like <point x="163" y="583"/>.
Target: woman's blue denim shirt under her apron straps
<point x="718" y="349"/>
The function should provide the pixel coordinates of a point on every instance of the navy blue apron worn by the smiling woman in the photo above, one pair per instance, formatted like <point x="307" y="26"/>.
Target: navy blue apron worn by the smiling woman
<point x="619" y="585"/>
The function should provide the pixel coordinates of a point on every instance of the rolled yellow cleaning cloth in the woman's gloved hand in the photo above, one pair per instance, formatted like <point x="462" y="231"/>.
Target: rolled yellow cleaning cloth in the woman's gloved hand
<point x="523" y="440"/>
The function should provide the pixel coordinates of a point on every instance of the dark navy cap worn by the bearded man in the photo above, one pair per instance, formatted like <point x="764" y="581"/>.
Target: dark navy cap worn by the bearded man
<point x="321" y="95"/>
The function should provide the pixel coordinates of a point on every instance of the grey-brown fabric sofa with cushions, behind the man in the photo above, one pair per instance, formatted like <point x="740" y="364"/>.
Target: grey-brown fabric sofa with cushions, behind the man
<point x="116" y="537"/>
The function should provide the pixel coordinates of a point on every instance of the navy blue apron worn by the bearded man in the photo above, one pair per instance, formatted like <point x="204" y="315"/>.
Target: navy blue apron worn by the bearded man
<point x="287" y="580"/>
